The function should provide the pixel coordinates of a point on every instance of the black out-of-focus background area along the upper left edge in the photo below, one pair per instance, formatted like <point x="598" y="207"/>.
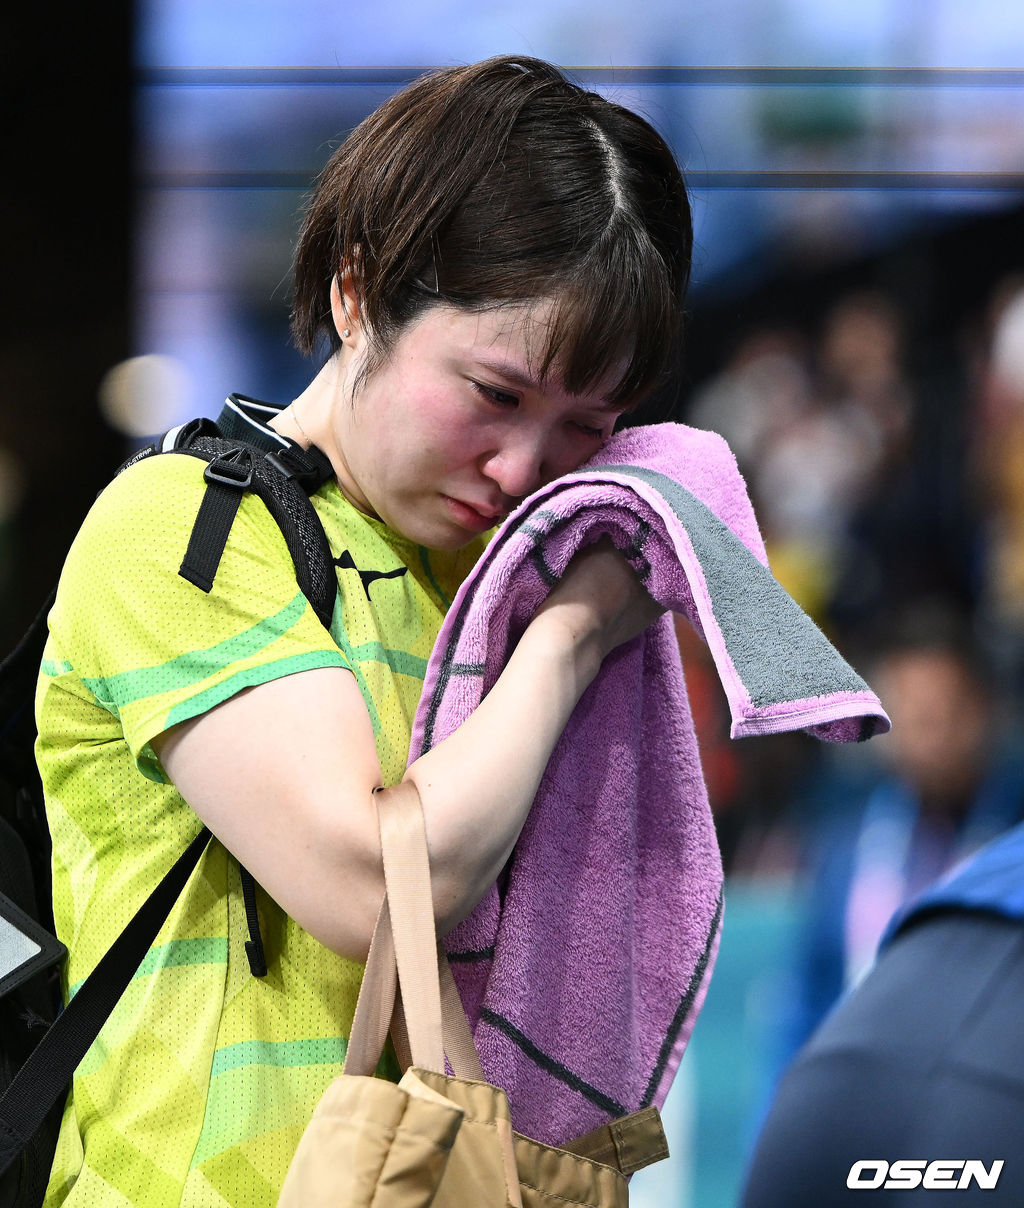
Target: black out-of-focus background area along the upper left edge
<point x="66" y="216"/>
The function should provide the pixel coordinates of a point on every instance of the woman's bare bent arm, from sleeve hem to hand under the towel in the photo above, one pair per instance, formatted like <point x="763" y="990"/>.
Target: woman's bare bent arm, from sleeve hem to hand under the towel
<point x="283" y="774"/>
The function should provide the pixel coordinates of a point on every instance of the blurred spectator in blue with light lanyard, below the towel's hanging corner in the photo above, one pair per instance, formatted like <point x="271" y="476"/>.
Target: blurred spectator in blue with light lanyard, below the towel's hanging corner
<point x="949" y="781"/>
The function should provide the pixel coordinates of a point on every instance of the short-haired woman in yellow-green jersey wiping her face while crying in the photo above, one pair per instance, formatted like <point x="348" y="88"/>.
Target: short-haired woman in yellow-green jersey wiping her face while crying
<point x="497" y="260"/>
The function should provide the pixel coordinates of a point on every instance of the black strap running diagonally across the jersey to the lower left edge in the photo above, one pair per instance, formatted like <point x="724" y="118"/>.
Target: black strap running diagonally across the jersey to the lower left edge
<point x="46" y="1075"/>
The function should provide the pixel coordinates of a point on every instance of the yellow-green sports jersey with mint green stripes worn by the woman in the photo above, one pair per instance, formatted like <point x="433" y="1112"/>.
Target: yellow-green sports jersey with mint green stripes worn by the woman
<point x="205" y="1077"/>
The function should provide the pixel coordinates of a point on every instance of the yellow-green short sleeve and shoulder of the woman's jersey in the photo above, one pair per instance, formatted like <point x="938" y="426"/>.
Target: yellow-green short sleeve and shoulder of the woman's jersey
<point x="153" y="647"/>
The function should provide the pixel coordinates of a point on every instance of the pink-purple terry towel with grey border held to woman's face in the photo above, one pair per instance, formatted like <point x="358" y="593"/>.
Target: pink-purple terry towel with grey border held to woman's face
<point x="584" y="969"/>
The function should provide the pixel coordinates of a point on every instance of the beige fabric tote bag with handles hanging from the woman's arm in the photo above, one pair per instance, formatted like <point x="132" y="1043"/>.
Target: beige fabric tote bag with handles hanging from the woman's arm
<point x="434" y="1139"/>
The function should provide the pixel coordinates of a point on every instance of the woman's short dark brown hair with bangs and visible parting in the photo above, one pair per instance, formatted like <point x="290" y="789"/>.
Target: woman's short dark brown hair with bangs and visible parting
<point x="498" y="184"/>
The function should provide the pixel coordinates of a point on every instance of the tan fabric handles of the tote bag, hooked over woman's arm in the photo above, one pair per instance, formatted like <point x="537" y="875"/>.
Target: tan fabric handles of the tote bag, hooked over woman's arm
<point x="403" y="938"/>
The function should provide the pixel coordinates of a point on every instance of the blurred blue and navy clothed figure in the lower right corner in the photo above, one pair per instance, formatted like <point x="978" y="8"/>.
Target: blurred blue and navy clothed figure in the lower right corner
<point x="923" y="1061"/>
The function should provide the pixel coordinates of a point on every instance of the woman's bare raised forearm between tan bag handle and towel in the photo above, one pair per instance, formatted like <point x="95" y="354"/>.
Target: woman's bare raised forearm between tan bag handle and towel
<point x="479" y="785"/>
